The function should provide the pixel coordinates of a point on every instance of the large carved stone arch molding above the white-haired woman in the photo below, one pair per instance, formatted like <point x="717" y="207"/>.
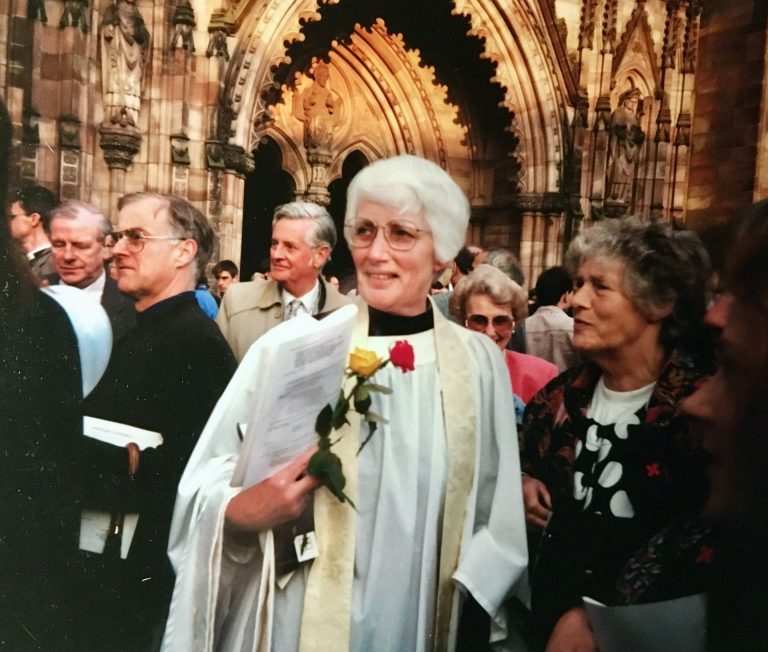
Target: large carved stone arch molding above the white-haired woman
<point x="388" y="96"/>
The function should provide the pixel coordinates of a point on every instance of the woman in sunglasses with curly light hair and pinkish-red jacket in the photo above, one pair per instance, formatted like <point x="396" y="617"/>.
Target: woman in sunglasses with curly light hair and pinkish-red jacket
<point x="488" y="302"/>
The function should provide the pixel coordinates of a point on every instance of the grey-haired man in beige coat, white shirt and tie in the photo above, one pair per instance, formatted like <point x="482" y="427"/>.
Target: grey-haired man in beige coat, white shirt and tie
<point x="303" y="236"/>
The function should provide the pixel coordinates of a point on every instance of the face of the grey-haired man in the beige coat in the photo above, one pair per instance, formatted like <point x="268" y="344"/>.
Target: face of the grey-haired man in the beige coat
<point x="292" y="261"/>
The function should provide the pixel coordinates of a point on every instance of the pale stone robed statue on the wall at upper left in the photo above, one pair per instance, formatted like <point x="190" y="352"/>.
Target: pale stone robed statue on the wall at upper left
<point x="124" y="49"/>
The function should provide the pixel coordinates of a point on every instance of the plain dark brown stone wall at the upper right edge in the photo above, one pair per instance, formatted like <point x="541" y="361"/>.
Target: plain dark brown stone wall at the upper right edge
<point x="726" y="132"/>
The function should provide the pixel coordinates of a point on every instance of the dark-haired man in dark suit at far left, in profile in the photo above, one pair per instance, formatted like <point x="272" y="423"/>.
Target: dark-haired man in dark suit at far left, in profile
<point x="28" y="215"/>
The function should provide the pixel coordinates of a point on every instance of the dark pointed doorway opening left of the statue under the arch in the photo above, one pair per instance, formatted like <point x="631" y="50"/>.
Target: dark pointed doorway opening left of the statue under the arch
<point x="266" y="187"/>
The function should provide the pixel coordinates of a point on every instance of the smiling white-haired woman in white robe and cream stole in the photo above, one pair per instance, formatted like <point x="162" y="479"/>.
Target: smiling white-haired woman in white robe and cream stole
<point x="437" y="489"/>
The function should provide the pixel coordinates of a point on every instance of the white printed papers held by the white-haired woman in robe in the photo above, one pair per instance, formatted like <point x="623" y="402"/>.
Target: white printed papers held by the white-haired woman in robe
<point x="300" y="366"/>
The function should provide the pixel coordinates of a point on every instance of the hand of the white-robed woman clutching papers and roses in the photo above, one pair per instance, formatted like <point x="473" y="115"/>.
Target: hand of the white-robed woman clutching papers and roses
<point x="277" y="499"/>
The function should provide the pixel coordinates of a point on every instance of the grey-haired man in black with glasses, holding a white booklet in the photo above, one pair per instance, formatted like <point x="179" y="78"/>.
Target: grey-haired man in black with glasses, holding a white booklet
<point x="164" y="376"/>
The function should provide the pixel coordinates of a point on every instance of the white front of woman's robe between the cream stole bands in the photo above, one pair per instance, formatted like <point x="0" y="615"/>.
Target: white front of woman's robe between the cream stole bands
<point x="405" y="457"/>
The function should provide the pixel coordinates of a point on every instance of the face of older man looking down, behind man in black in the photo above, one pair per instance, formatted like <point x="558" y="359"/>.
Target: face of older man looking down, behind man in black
<point x="78" y="249"/>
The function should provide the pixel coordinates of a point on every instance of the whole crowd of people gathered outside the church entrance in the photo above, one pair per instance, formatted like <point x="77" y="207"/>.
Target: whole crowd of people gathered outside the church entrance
<point x="600" y="438"/>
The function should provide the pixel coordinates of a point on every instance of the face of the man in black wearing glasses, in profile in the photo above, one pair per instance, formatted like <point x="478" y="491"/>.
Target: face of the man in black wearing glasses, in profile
<point x="148" y="269"/>
